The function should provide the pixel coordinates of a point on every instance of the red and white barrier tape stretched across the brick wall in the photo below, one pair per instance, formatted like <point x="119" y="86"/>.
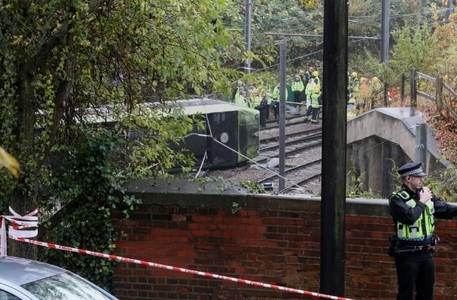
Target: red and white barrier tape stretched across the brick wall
<point x="29" y="223"/>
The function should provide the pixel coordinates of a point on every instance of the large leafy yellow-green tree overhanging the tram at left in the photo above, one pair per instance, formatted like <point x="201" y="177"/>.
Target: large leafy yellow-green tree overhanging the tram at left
<point x="63" y="59"/>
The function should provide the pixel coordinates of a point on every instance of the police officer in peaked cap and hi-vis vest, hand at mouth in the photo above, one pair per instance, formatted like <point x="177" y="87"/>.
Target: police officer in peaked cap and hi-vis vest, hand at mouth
<point x="413" y="209"/>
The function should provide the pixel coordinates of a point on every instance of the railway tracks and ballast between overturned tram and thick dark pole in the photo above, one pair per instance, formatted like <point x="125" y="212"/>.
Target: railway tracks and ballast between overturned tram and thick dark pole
<point x="303" y="156"/>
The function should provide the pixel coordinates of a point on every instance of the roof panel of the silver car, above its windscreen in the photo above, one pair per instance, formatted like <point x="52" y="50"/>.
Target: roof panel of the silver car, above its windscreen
<point x="22" y="271"/>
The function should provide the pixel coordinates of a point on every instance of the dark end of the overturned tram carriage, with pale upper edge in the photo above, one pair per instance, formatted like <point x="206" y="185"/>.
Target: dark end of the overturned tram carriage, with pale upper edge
<point x="230" y="136"/>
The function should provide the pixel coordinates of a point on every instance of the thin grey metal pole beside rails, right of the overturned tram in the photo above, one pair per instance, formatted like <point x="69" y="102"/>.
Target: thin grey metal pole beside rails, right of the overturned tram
<point x="282" y="115"/>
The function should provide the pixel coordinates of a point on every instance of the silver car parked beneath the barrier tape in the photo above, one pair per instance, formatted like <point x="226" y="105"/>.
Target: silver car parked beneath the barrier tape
<point x="22" y="278"/>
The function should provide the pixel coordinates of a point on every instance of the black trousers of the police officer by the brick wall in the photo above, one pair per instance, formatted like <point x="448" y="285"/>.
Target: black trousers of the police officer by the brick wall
<point x="415" y="273"/>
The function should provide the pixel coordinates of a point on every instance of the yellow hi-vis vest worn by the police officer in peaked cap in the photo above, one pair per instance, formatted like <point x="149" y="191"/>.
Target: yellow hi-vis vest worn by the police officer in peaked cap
<point x="424" y="225"/>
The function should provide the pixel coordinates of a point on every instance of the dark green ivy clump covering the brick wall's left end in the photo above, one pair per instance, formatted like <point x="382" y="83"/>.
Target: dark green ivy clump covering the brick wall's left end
<point x="87" y="179"/>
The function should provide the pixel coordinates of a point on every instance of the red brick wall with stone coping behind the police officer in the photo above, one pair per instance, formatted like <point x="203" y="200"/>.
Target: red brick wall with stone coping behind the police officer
<point x="271" y="240"/>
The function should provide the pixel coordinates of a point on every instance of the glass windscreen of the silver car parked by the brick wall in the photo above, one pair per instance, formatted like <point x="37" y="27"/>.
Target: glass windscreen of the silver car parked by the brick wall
<point x="63" y="286"/>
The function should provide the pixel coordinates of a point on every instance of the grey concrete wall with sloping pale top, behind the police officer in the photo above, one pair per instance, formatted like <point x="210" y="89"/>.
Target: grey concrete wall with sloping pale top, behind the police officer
<point x="383" y="139"/>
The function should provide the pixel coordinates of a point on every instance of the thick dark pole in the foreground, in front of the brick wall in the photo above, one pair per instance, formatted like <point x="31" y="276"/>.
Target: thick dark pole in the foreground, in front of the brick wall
<point x="333" y="204"/>
